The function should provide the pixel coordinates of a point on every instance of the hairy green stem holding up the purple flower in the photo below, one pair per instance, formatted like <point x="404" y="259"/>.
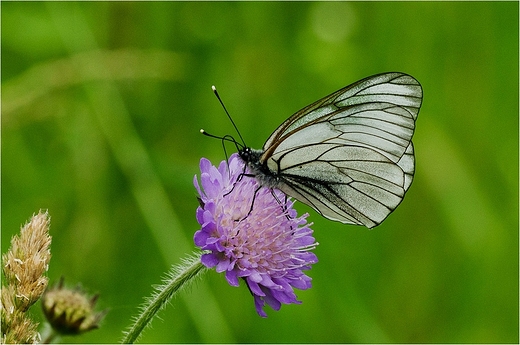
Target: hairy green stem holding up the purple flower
<point x="179" y="276"/>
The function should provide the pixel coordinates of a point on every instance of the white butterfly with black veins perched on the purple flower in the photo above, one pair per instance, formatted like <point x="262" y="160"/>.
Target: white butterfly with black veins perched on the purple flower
<point x="348" y="155"/>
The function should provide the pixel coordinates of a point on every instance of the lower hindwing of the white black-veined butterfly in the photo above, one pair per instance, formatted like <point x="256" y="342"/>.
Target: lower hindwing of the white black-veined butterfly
<point x="362" y="190"/>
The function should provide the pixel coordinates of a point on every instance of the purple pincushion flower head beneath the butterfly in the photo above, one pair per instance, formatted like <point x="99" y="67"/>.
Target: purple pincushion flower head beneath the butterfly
<point x="268" y="247"/>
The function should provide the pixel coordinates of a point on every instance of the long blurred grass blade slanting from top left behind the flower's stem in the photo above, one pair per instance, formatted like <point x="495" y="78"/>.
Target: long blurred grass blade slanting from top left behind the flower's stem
<point x="131" y="155"/>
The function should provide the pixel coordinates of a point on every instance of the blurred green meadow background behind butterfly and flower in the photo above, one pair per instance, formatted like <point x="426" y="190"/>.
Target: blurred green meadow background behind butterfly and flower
<point x="102" y="104"/>
